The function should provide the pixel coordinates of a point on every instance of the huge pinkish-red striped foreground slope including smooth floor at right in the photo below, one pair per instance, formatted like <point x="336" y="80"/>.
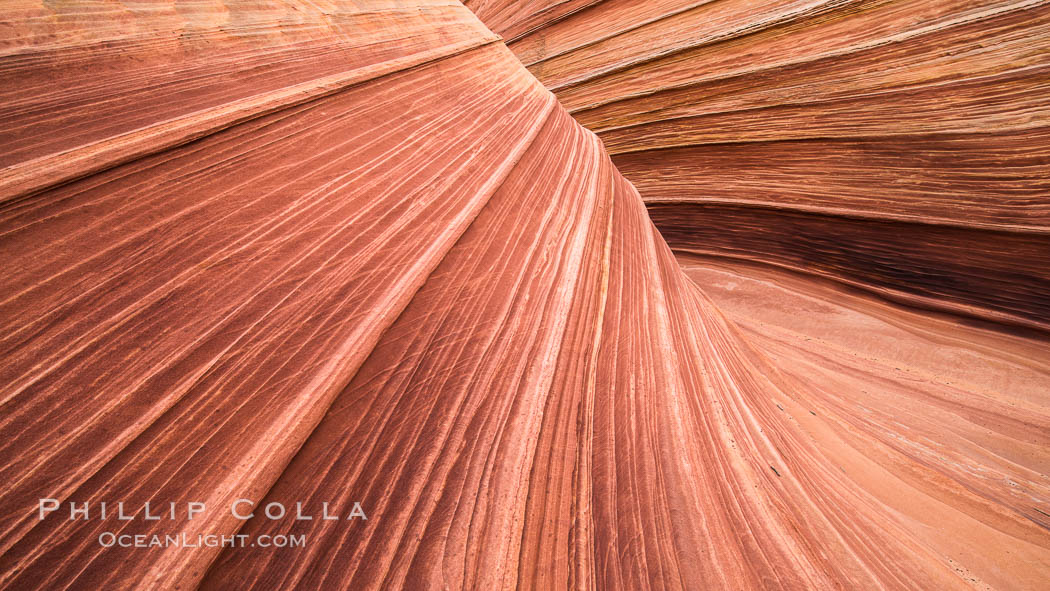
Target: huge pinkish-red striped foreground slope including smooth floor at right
<point x="330" y="254"/>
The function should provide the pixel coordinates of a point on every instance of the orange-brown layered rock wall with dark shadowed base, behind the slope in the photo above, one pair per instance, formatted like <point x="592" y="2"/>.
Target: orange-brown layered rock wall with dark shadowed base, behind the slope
<point x="863" y="126"/>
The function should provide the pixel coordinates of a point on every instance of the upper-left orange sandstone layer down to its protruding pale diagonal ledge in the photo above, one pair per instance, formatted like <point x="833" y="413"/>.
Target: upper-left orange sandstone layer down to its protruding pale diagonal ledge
<point x="173" y="74"/>
